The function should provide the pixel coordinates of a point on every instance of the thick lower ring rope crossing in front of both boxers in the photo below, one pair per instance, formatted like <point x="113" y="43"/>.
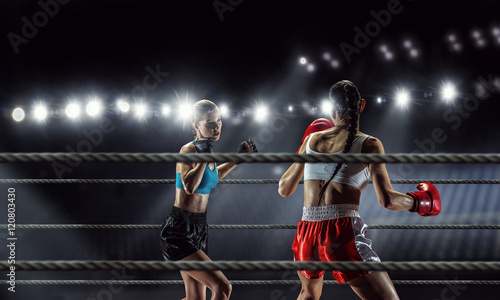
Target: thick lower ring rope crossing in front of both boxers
<point x="253" y="265"/>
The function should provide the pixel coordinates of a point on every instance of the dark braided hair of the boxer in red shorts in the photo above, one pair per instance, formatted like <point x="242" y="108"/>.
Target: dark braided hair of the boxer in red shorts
<point x="347" y="103"/>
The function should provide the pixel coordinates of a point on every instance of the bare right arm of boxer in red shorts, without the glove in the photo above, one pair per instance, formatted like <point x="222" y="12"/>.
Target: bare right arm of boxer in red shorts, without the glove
<point x="386" y="195"/>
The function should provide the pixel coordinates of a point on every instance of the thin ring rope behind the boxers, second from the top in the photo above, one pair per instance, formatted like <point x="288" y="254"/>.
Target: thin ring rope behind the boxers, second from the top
<point x="231" y="181"/>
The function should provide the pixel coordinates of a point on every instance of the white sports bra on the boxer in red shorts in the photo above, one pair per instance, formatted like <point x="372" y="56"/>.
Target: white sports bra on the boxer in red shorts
<point x="353" y="174"/>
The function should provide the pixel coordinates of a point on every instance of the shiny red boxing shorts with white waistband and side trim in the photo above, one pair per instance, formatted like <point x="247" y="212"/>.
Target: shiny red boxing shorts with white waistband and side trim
<point x="332" y="233"/>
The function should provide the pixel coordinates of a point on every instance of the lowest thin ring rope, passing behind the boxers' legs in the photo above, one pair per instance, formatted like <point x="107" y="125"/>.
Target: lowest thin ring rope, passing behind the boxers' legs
<point x="242" y="282"/>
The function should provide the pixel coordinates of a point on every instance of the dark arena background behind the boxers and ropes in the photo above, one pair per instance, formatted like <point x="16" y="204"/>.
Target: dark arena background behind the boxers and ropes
<point x="243" y="57"/>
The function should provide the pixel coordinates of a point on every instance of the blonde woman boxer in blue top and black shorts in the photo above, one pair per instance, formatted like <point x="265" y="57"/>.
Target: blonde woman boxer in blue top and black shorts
<point x="184" y="233"/>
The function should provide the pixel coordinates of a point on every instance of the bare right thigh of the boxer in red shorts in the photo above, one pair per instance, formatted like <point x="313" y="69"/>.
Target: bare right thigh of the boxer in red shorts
<point x="376" y="285"/>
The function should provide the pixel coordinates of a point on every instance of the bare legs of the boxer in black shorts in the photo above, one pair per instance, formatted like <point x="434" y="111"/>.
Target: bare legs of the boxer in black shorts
<point x="214" y="280"/>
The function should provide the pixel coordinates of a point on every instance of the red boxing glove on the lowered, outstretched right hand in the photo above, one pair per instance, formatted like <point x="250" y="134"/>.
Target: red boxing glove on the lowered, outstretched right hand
<point x="427" y="200"/>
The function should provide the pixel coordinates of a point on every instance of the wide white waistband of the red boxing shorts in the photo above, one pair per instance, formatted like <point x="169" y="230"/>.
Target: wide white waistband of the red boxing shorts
<point x="328" y="212"/>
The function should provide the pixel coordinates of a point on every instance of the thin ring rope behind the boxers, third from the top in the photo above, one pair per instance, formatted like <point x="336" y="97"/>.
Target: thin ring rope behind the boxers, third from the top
<point x="230" y="226"/>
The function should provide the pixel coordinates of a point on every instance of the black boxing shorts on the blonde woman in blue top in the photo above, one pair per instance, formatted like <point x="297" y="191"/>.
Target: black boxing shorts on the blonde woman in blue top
<point x="183" y="233"/>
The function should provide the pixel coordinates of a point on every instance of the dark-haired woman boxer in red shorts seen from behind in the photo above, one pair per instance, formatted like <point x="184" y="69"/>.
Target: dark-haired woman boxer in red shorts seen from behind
<point x="331" y="228"/>
